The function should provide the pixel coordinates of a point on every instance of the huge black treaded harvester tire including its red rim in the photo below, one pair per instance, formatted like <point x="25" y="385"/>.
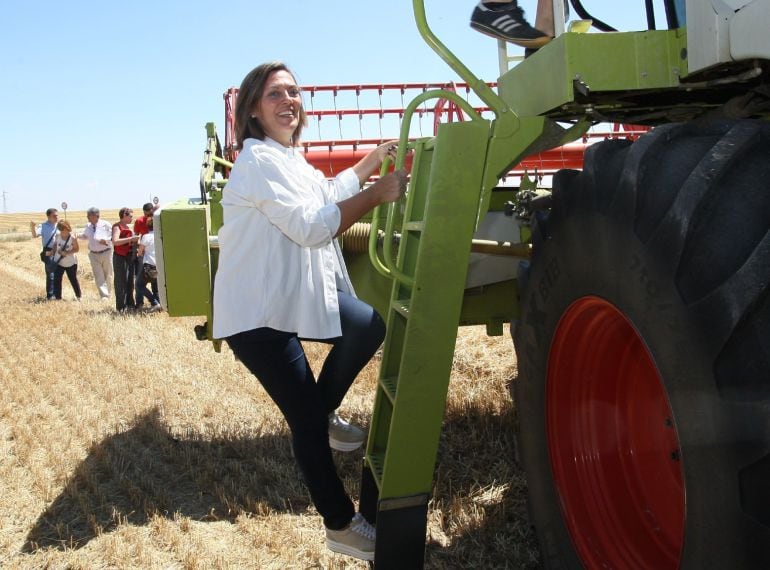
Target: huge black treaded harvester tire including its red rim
<point x="643" y="349"/>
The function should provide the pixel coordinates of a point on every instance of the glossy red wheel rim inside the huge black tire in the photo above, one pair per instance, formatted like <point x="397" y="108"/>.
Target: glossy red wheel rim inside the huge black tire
<point x="613" y="444"/>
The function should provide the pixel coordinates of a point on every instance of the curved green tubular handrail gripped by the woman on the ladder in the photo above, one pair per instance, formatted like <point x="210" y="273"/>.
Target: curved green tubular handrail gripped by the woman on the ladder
<point x="388" y="267"/>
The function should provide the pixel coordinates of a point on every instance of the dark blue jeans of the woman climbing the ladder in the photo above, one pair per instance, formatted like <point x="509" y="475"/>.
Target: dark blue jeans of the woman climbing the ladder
<point x="278" y="361"/>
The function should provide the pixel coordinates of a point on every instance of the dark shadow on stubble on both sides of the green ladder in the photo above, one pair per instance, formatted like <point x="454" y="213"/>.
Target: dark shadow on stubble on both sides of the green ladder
<point x="479" y="499"/>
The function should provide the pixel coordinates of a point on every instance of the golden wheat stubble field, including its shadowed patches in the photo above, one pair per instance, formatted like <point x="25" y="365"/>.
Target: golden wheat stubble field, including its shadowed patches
<point x="126" y="443"/>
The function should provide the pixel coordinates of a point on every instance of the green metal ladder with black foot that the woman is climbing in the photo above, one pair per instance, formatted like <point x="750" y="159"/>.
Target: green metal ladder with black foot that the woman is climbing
<point x="437" y="226"/>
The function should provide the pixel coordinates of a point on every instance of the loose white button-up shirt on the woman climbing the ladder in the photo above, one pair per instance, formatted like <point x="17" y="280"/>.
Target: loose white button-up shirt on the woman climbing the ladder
<point x="279" y="264"/>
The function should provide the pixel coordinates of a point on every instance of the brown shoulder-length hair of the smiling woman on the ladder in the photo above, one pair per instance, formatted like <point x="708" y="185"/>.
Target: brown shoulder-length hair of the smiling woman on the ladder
<point x="249" y="94"/>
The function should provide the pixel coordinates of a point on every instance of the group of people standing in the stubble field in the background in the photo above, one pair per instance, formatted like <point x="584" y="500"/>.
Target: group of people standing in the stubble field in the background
<point x="122" y="256"/>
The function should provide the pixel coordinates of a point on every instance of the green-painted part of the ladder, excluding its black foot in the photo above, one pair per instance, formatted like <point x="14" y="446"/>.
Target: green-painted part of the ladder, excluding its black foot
<point x="423" y="318"/>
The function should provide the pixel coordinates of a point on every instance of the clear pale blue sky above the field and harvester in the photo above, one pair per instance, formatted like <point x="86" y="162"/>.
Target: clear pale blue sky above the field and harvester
<point x="104" y="103"/>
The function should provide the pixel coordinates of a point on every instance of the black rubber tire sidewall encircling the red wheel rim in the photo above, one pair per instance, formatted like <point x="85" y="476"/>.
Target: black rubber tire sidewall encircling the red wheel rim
<point x="594" y="252"/>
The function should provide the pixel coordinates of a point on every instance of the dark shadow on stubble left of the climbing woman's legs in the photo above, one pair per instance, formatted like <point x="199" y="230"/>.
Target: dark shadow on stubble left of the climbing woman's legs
<point x="145" y="471"/>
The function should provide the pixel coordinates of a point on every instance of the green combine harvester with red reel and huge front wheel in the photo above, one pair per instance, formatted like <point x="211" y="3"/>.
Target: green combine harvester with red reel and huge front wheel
<point x="637" y="291"/>
